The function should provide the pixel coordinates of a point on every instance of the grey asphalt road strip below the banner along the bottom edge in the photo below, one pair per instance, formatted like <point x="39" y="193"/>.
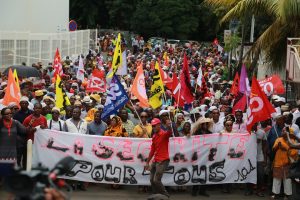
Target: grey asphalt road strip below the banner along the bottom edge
<point x="101" y="191"/>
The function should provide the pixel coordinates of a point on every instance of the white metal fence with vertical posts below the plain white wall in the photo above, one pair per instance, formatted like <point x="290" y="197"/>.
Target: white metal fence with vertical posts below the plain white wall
<point x="19" y="47"/>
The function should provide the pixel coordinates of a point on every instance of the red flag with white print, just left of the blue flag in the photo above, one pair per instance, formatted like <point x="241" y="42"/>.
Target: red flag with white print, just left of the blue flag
<point x="97" y="82"/>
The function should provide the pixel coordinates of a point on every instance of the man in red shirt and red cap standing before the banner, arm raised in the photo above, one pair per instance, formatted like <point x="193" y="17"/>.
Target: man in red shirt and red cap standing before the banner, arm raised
<point x="160" y="152"/>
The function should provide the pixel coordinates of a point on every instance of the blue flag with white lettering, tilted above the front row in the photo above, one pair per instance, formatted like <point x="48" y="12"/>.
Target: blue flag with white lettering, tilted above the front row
<point x="116" y="98"/>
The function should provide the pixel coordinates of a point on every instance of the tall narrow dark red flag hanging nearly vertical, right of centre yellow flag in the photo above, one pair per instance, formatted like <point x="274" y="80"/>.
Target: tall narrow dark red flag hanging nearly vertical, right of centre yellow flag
<point x="185" y="81"/>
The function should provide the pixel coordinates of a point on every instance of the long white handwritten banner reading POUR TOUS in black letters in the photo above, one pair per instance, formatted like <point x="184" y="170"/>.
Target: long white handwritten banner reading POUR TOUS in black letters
<point x="206" y="159"/>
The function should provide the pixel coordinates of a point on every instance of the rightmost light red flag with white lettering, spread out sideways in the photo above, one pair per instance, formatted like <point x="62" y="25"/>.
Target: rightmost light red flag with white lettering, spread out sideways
<point x="272" y="85"/>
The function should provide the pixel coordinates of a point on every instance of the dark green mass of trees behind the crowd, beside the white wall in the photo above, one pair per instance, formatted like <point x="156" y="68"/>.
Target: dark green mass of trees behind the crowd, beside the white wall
<point x="179" y="19"/>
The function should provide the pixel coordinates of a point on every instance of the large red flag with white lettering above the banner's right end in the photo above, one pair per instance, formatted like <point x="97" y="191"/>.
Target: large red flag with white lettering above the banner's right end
<point x="260" y="109"/>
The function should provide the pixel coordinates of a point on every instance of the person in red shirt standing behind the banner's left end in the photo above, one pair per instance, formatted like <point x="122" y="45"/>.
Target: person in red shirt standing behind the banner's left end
<point x="34" y="120"/>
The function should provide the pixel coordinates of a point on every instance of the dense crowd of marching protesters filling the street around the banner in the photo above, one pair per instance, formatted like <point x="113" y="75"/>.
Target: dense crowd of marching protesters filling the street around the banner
<point x="210" y="112"/>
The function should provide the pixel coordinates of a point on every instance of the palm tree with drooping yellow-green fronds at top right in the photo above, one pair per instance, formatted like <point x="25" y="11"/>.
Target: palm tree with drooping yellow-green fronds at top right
<point x="285" y="16"/>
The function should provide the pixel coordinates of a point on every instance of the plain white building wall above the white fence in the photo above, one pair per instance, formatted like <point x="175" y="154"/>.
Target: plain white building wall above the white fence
<point x="36" y="16"/>
